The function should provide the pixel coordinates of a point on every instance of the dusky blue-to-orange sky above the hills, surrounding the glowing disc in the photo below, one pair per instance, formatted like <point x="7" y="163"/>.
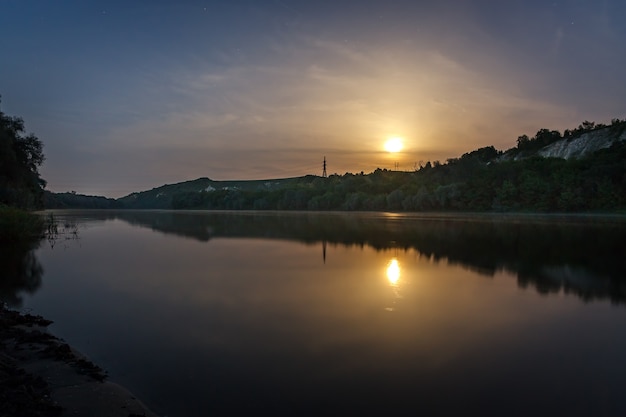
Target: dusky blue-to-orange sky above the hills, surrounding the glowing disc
<point x="130" y="95"/>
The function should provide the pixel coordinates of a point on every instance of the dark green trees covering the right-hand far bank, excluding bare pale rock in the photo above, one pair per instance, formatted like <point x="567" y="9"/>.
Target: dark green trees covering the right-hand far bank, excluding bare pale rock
<point x="481" y="180"/>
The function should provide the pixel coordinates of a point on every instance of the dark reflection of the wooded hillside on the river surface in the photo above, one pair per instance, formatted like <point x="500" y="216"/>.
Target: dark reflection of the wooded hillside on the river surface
<point x="584" y="256"/>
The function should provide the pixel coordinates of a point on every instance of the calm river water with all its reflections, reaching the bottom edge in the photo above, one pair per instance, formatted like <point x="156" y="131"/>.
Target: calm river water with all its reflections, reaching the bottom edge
<point x="343" y="314"/>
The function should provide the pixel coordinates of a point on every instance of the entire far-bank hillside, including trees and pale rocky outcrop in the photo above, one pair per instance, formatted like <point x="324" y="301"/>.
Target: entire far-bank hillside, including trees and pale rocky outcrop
<point x="583" y="169"/>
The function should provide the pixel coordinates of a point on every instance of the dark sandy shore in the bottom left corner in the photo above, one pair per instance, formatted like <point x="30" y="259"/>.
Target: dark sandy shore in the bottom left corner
<point x="40" y="375"/>
